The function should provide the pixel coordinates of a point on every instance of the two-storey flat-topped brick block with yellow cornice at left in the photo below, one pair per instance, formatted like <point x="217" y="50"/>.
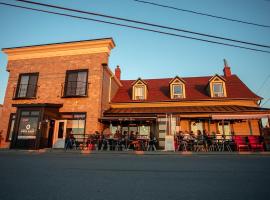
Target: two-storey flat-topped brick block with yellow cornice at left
<point x="56" y="89"/>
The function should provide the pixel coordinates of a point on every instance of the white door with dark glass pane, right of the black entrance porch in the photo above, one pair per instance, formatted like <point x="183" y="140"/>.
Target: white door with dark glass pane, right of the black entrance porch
<point x="59" y="134"/>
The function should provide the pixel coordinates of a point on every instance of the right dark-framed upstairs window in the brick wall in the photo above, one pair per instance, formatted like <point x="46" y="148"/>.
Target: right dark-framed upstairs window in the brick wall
<point x="76" y="83"/>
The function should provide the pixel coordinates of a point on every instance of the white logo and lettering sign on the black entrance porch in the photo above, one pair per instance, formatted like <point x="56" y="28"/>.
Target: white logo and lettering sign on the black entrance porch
<point x="28" y="127"/>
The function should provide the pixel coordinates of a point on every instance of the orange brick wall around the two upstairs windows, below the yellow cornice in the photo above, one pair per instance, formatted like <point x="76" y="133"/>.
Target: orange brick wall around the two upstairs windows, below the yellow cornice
<point x="52" y="72"/>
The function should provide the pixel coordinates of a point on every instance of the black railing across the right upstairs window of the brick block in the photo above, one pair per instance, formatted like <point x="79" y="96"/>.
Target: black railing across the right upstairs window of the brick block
<point x="74" y="89"/>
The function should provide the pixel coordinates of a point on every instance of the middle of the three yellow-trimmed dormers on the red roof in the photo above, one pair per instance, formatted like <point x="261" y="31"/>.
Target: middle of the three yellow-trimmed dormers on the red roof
<point x="177" y="88"/>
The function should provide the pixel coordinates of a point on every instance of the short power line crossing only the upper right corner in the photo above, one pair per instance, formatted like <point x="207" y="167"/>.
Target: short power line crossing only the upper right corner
<point x="203" y="14"/>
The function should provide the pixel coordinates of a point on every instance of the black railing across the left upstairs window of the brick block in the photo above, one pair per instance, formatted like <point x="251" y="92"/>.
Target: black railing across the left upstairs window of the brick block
<point x="22" y="91"/>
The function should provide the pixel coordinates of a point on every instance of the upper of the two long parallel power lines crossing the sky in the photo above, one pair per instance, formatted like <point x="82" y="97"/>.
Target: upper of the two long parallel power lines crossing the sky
<point x="144" y="23"/>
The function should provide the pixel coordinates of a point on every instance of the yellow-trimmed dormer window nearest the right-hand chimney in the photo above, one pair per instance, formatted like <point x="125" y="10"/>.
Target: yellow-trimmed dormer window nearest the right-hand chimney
<point x="217" y="86"/>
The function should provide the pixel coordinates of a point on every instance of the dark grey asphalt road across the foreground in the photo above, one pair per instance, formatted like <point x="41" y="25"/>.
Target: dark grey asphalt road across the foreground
<point x="124" y="176"/>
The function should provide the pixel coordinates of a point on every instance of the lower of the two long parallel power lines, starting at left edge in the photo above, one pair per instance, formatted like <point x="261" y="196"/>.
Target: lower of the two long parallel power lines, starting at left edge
<point x="134" y="27"/>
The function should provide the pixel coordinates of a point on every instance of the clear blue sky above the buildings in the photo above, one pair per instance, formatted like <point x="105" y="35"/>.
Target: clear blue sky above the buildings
<point x="151" y="55"/>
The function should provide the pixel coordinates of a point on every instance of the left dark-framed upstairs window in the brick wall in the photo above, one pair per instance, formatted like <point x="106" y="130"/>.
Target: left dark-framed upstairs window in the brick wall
<point x="27" y="86"/>
